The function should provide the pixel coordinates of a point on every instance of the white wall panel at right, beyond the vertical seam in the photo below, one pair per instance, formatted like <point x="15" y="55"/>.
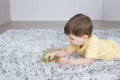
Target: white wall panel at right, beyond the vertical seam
<point x="111" y="10"/>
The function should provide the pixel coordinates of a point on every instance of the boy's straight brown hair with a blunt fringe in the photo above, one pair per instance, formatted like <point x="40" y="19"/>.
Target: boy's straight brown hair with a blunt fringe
<point x="79" y="25"/>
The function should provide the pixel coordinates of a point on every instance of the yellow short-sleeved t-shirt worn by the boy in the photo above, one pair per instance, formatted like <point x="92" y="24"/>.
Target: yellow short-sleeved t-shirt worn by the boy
<point x="98" y="49"/>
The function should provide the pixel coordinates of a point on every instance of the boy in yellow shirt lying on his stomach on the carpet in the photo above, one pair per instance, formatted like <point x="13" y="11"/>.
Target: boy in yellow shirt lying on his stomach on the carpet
<point x="79" y="31"/>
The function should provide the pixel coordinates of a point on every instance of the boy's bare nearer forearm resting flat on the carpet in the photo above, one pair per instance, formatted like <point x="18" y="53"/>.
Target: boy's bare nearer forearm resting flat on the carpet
<point x="76" y="61"/>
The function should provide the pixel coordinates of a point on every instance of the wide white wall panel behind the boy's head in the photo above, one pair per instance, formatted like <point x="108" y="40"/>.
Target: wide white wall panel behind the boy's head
<point x="37" y="10"/>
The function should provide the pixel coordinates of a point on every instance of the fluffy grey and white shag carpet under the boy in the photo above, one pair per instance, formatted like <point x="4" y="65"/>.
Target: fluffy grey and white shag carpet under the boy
<point x="21" y="52"/>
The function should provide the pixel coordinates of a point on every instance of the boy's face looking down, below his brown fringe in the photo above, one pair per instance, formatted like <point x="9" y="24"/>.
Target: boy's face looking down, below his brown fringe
<point x="77" y="41"/>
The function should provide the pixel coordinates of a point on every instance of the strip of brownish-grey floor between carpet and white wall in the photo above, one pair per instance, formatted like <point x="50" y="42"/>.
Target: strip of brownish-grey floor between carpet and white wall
<point x="53" y="25"/>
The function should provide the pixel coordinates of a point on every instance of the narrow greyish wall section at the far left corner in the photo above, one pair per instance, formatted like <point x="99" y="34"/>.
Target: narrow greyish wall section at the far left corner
<point x="4" y="11"/>
